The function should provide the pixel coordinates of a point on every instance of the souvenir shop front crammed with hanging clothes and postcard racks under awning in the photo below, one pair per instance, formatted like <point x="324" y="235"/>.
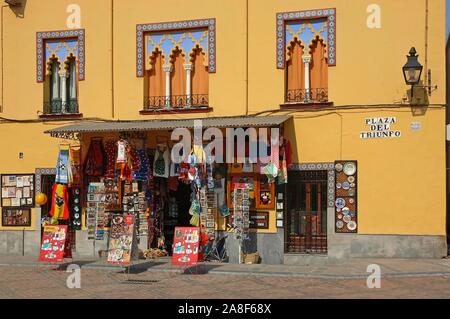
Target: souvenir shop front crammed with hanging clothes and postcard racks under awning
<point x="103" y="177"/>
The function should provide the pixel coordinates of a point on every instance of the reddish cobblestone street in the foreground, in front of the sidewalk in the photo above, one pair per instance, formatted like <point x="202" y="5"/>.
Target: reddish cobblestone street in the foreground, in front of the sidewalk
<point x="47" y="282"/>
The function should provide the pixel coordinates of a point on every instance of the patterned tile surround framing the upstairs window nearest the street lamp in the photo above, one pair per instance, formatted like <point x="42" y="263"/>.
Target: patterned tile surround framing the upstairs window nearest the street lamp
<point x="283" y="17"/>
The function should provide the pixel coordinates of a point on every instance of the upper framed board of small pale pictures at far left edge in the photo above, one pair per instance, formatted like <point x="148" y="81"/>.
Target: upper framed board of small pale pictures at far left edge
<point x="17" y="190"/>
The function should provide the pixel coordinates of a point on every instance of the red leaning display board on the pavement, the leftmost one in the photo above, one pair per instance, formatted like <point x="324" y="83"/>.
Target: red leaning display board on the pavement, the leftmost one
<point x="55" y="247"/>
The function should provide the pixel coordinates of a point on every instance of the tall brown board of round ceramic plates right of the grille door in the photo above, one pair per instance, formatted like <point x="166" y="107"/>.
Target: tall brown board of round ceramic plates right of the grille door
<point x="346" y="220"/>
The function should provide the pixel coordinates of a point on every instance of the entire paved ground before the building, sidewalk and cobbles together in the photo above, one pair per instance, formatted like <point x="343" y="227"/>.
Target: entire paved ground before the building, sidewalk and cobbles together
<point x="24" y="277"/>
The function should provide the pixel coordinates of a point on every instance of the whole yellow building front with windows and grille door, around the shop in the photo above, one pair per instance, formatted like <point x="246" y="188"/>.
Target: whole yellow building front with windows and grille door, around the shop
<point x="400" y="185"/>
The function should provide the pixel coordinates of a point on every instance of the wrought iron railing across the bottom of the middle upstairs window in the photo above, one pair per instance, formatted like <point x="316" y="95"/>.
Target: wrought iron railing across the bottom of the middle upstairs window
<point x="193" y="101"/>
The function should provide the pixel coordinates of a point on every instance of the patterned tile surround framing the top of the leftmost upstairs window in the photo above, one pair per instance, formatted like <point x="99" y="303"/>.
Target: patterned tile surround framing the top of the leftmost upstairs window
<point x="41" y="37"/>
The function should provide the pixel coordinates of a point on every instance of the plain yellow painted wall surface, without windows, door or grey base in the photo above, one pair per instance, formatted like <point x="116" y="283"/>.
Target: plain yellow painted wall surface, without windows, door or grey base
<point x="401" y="182"/>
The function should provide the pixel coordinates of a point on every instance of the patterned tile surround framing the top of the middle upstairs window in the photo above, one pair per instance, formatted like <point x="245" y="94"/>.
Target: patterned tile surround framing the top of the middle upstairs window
<point x="141" y="29"/>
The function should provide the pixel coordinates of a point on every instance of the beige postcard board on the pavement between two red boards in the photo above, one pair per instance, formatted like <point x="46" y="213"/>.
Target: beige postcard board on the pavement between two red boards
<point x="122" y="248"/>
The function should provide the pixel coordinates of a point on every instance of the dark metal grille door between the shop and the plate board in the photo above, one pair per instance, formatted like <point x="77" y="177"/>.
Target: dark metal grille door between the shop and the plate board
<point x="306" y="230"/>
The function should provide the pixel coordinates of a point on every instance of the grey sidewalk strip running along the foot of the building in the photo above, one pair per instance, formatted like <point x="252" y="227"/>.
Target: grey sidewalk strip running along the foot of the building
<point x="345" y="269"/>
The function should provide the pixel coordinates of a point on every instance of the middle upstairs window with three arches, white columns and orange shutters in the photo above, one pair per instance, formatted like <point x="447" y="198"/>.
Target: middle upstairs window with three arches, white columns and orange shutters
<point x="176" y="67"/>
